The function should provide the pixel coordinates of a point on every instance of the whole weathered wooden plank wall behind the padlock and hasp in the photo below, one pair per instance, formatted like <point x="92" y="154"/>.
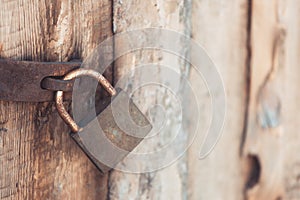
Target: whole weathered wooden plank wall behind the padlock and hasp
<point x="255" y="46"/>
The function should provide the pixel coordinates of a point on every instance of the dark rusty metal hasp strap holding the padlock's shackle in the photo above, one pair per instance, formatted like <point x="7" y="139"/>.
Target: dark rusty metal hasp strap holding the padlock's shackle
<point x="22" y="80"/>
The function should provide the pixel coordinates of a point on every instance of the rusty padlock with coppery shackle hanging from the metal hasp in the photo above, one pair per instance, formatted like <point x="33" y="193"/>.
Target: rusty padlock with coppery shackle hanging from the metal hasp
<point x="111" y="135"/>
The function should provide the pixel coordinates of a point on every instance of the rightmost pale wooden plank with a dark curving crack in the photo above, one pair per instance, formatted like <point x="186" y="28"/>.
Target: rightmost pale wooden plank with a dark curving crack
<point x="272" y="135"/>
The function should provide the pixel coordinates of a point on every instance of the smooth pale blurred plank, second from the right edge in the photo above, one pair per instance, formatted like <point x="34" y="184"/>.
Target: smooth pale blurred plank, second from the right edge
<point x="221" y="28"/>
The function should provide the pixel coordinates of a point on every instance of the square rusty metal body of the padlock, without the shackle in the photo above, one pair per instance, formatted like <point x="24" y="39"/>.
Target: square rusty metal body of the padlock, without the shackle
<point x="114" y="133"/>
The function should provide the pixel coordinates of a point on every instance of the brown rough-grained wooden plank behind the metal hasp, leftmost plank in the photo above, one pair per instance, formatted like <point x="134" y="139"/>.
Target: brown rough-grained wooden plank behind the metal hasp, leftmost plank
<point x="38" y="159"/>
